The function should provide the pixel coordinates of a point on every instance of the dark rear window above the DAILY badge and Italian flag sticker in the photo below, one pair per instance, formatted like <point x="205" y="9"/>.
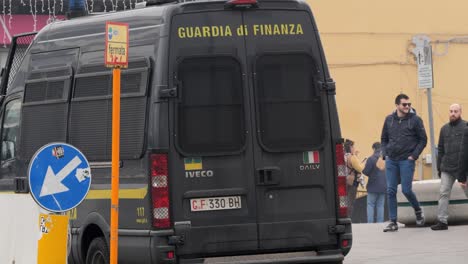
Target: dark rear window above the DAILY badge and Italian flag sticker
<point x="289" y="108"/>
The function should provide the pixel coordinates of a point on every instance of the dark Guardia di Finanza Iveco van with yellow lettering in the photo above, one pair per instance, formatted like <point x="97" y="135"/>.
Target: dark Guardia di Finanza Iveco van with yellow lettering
<point x="230" y="141"/>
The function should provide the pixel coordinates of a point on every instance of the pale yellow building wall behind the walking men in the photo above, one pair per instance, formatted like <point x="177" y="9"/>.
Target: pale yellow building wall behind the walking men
<point x="368" y="47"/>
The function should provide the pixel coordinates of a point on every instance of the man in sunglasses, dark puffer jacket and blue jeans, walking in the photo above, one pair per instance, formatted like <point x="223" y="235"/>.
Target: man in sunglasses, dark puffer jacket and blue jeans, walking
<point x="403" y="139"/>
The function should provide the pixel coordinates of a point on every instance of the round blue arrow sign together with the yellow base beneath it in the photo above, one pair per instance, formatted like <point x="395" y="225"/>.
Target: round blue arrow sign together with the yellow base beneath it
<point x="59" y="179"/>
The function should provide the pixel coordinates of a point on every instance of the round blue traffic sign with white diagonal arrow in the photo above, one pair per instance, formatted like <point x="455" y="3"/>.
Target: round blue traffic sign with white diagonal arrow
<point x="59" y="177"/>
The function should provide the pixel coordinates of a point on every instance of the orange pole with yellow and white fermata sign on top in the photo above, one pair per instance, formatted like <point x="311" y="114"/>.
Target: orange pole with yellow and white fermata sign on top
<point x="116" y="56"/>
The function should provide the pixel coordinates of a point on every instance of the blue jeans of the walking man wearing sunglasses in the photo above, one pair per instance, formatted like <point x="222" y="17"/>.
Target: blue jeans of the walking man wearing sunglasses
<point x="396" y="172"/>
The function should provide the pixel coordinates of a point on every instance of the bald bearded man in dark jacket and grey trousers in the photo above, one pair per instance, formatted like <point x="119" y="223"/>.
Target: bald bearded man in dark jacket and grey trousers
<point x="449" y="157"/>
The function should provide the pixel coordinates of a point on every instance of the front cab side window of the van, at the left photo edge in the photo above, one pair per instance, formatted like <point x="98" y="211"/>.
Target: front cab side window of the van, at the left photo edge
<point x="10" y="129"/>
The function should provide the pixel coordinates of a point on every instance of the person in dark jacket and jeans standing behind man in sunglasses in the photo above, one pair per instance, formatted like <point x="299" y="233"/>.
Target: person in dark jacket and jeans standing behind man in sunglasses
<point x="376" y="186"/>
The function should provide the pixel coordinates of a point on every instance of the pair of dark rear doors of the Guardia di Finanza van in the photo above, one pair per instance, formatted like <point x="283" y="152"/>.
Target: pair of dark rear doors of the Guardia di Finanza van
<point x="251" y="160"/>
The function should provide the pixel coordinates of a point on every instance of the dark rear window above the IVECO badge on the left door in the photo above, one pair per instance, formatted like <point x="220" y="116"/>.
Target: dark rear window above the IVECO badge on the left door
<point x="210" y="113"/>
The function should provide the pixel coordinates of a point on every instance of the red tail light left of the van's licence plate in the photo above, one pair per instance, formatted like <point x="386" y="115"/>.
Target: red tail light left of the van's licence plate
<point x="160" y="191"/>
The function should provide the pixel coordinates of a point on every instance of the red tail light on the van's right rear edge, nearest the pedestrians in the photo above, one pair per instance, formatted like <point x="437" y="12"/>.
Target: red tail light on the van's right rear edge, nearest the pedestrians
<point x="341" y="181"/>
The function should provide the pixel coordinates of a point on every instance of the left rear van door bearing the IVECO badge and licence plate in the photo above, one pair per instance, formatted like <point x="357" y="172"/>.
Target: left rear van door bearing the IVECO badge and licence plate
<point x="211" y="156"/>
